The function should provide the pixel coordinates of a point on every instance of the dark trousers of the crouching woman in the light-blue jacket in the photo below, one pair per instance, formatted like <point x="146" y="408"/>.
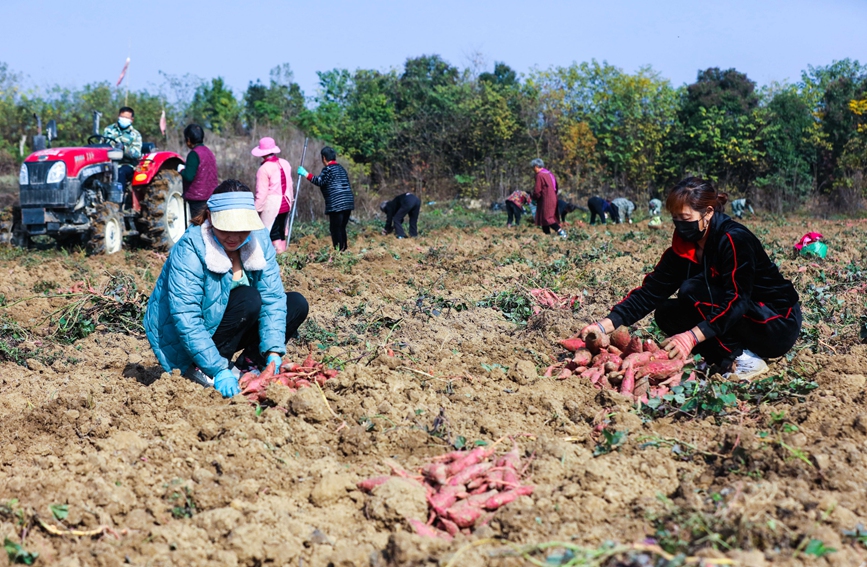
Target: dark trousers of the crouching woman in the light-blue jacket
<point x="239" y="328"/>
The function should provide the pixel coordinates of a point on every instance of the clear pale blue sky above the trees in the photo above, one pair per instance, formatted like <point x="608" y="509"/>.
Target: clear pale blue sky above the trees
<point x="75" y="42"/>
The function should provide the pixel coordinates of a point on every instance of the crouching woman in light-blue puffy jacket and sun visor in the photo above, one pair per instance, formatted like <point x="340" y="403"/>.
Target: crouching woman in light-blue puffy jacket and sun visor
<point x="220" y="292"/>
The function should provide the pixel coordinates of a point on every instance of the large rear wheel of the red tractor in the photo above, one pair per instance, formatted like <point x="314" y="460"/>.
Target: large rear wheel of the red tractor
<point x="163" y="219"/>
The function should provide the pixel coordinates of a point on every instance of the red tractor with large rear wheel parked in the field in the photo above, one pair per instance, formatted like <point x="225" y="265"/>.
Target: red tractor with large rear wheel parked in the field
<point x="72" y="195"/>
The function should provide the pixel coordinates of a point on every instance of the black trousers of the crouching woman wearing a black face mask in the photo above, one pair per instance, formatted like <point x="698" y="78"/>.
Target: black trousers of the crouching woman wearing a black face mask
<point x="762" y="330"/>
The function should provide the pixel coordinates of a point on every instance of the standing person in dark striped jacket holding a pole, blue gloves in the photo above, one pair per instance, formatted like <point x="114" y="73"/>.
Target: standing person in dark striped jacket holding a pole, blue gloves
<point x="339" y="200"/>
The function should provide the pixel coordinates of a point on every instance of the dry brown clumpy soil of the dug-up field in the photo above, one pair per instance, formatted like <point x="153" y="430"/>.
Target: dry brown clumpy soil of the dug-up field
<point x="181" y="476"/>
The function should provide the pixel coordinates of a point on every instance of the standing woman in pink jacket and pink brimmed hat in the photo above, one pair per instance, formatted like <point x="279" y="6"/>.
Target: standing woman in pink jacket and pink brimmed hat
<point x="274" y="191"/>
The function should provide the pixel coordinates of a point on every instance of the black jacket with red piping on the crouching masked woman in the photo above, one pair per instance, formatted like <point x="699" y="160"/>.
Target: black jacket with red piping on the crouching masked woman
<point x="733" y="260"/>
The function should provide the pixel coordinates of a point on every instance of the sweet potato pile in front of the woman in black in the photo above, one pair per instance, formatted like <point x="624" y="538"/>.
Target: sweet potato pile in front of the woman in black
<point x="637" y="369"/>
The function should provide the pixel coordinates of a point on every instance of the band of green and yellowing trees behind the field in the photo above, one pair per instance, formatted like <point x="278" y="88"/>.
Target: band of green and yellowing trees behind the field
<point x="441" y="130"/>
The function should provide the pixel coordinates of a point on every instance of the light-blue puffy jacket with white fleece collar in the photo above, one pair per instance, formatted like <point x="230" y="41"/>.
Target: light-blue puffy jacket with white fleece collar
<point x="191" y="295"/>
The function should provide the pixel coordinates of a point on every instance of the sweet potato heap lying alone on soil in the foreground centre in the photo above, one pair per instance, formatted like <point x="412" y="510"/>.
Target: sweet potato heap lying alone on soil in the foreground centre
<point x="464" y="489"/>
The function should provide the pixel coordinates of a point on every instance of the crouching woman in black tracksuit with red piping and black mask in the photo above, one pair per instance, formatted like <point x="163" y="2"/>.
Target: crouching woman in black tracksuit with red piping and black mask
<point x="733" y="306"/>
